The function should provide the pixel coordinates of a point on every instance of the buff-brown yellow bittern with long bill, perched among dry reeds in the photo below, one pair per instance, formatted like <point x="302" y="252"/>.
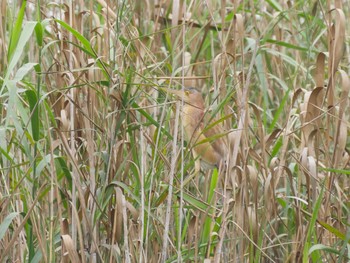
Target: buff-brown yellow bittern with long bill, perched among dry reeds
<point x="208" y="140"/>
